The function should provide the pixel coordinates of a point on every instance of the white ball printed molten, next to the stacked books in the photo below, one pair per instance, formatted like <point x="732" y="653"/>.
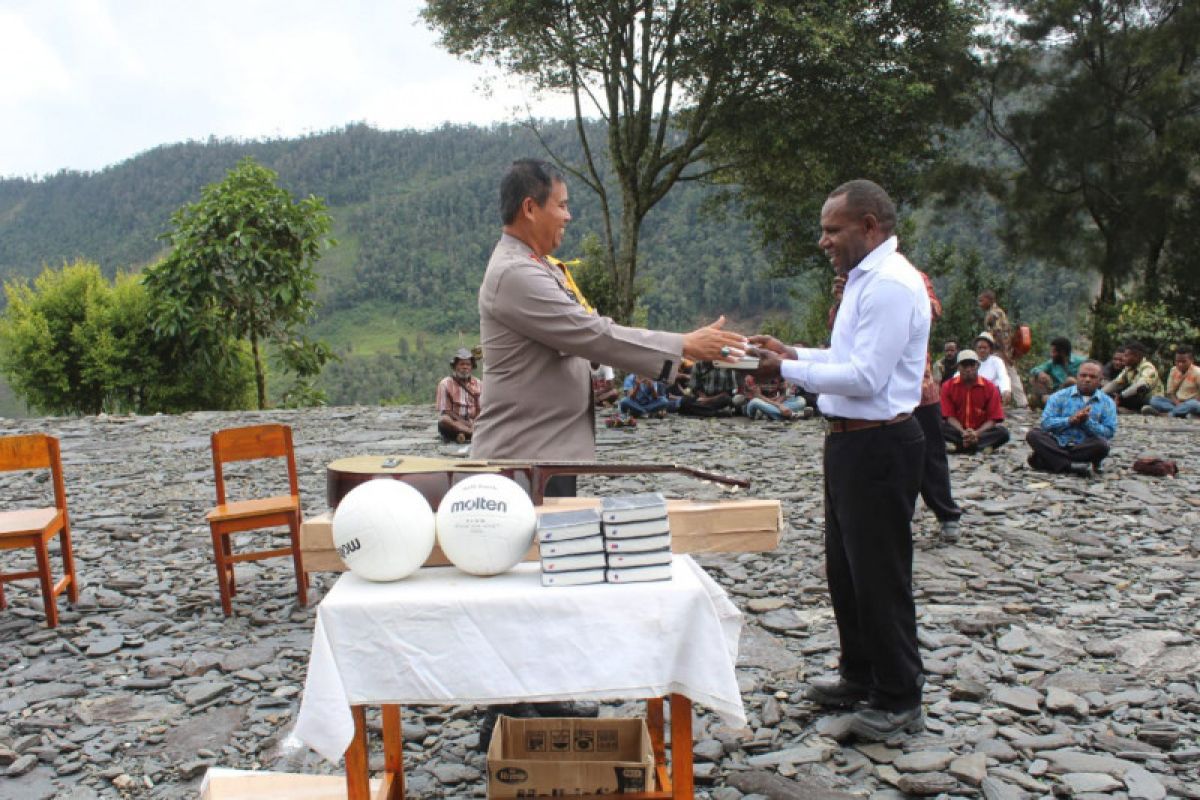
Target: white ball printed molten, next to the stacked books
<point x="485" y="525"/>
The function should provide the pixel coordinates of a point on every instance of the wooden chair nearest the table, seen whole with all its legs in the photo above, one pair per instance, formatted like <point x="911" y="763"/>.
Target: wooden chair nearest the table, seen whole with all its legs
<point x="229" y="519"/>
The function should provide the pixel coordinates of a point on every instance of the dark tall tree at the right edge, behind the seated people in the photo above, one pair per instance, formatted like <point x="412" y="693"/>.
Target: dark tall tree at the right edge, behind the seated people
<point x="1101" y="103"/>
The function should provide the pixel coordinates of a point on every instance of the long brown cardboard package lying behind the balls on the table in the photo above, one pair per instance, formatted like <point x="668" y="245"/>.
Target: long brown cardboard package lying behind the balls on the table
<point x="749" y="526"/>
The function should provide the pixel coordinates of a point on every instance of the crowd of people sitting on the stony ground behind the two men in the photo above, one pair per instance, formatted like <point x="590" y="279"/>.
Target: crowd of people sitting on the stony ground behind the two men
<point x="1079" y="399"/>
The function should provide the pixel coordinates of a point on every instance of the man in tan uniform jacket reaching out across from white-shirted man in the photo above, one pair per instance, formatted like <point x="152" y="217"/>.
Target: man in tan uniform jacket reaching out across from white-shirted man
<point x="539" y="341"/>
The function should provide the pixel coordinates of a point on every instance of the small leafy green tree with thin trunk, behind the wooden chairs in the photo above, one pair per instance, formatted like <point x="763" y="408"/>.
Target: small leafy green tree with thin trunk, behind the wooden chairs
<point x="242" y="262"/>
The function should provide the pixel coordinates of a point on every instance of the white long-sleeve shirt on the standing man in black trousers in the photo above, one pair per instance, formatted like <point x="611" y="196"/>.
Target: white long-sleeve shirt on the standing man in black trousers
<point x="877" y="359"/>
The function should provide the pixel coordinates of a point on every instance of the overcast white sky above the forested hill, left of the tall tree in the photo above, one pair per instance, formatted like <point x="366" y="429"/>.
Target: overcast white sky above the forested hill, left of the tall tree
<point x="89" y="83"/>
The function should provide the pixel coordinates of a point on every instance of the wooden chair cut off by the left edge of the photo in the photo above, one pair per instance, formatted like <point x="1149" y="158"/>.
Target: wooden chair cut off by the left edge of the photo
<point x="38" y="527"/>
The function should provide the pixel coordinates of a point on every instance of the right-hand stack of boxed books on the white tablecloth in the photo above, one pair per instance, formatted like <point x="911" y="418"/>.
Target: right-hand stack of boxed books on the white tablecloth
<point x="637" y="538"/>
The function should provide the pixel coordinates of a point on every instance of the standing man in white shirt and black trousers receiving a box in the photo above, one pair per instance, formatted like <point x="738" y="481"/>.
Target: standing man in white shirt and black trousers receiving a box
<point x="869" y="383"/>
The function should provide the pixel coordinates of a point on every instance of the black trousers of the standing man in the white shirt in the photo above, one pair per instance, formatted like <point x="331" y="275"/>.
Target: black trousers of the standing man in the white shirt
<point x="872" y="479"/>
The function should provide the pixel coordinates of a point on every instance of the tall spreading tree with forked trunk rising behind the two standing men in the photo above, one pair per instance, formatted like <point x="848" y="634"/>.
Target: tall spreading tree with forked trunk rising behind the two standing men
<point x="667" y="76"/>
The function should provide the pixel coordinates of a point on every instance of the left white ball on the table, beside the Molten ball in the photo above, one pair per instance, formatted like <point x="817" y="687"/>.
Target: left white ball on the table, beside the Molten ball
<point x="385" y="530"/>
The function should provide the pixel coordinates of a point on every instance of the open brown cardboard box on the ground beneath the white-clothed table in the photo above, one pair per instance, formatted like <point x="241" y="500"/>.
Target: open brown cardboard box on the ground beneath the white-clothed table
<point x="566" y="756"/>
